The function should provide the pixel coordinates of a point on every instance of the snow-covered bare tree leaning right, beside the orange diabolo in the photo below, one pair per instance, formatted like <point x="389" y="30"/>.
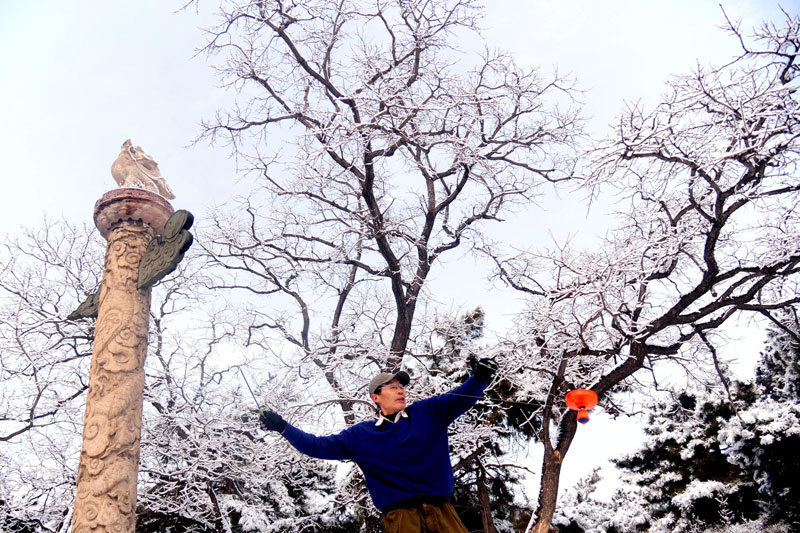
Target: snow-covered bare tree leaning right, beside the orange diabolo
<point x="709" y="229"/>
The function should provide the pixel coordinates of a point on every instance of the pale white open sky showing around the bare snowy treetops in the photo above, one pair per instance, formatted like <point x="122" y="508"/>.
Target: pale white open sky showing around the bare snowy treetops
<point x="79" y="77"/>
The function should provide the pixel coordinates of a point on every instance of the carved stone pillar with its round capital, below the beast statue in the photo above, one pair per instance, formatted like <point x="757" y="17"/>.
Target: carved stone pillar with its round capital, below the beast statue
<point x="106" y="493"/>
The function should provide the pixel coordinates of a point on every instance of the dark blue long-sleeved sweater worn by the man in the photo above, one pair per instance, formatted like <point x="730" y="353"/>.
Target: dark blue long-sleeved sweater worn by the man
<point x="407" y="459"/>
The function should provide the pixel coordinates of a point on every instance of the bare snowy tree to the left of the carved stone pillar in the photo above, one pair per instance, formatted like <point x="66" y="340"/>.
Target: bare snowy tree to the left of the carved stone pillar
<point x="44" y="369"/>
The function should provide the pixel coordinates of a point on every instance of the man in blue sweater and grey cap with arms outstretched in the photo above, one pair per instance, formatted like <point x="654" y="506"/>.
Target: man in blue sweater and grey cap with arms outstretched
<point x="404" y="454"/>
